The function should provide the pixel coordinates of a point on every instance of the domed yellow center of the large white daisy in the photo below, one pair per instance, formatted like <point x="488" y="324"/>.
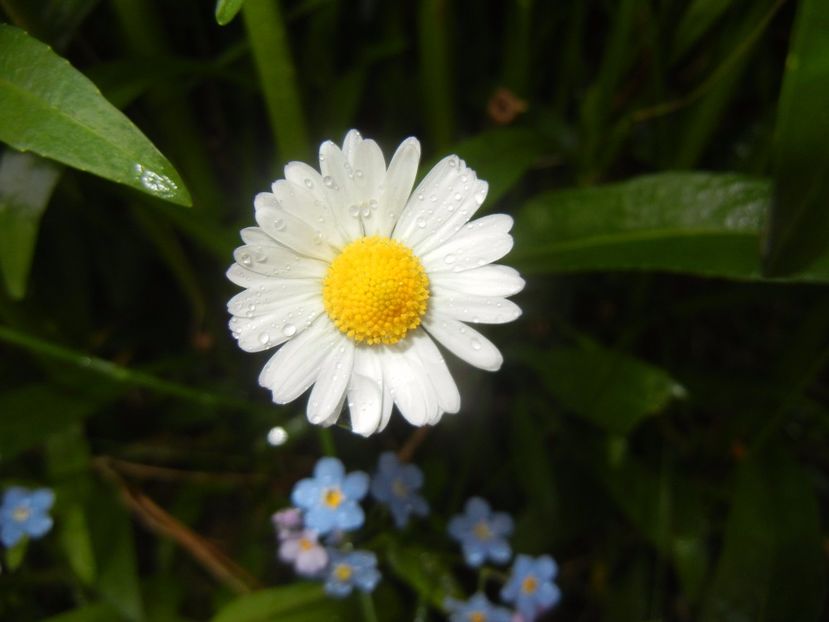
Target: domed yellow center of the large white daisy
<point x="376" y="290"/>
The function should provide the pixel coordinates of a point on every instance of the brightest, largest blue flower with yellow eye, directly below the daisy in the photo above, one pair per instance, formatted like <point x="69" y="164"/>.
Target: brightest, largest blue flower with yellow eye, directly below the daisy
<point x="330" y="498"/>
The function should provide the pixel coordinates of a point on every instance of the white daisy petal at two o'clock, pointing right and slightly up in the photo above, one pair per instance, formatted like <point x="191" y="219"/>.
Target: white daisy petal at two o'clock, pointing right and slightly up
<point x="477" y="244"/>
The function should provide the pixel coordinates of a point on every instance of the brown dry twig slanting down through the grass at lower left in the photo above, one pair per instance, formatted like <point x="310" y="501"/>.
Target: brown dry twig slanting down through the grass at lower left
<point x="158" y="520"/>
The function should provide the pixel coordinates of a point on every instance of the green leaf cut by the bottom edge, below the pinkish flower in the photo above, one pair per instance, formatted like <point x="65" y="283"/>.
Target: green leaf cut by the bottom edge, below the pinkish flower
<point x="289" y="603"/>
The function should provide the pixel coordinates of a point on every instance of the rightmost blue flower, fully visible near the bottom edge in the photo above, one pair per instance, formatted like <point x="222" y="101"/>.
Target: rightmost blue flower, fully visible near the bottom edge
<point x="530" y="586"/>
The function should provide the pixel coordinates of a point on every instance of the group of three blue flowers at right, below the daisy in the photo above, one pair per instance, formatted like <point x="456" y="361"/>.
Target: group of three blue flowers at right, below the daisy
<point x="483" y="535"/>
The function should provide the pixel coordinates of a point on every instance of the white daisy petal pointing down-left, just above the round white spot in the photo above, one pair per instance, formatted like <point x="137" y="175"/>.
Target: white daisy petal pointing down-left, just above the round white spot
<point x="296" y="365"/>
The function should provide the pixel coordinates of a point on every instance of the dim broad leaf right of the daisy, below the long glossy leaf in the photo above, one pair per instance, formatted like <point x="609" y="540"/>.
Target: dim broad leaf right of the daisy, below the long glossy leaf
<point x="613" y="390"/>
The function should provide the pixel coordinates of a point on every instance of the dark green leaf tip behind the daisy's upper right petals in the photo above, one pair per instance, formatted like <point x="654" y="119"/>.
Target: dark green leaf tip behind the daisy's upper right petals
<point x="502" y="156"/>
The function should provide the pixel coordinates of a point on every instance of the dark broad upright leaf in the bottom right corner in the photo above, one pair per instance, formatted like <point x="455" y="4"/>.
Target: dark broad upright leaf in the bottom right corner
<point x="772" y="567"/>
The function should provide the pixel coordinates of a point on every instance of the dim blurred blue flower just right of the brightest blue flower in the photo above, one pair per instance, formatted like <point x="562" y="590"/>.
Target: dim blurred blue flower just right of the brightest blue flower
<point x="396" y="485"/>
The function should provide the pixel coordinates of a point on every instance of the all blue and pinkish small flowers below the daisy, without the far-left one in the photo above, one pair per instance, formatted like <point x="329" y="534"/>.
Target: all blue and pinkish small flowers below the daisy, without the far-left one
<point x="327" y="506"/>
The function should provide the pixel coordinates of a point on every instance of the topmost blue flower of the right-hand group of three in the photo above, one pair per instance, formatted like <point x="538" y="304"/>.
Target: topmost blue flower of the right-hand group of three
<point x="482" y="533"/>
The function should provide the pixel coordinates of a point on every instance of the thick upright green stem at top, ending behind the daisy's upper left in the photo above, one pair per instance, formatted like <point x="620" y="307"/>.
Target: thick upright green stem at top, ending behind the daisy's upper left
<point x="272" y="55"/>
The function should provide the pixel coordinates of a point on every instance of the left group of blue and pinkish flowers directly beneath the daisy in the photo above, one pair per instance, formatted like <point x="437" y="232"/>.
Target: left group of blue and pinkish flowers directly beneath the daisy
<point x="327" y="506"/>
